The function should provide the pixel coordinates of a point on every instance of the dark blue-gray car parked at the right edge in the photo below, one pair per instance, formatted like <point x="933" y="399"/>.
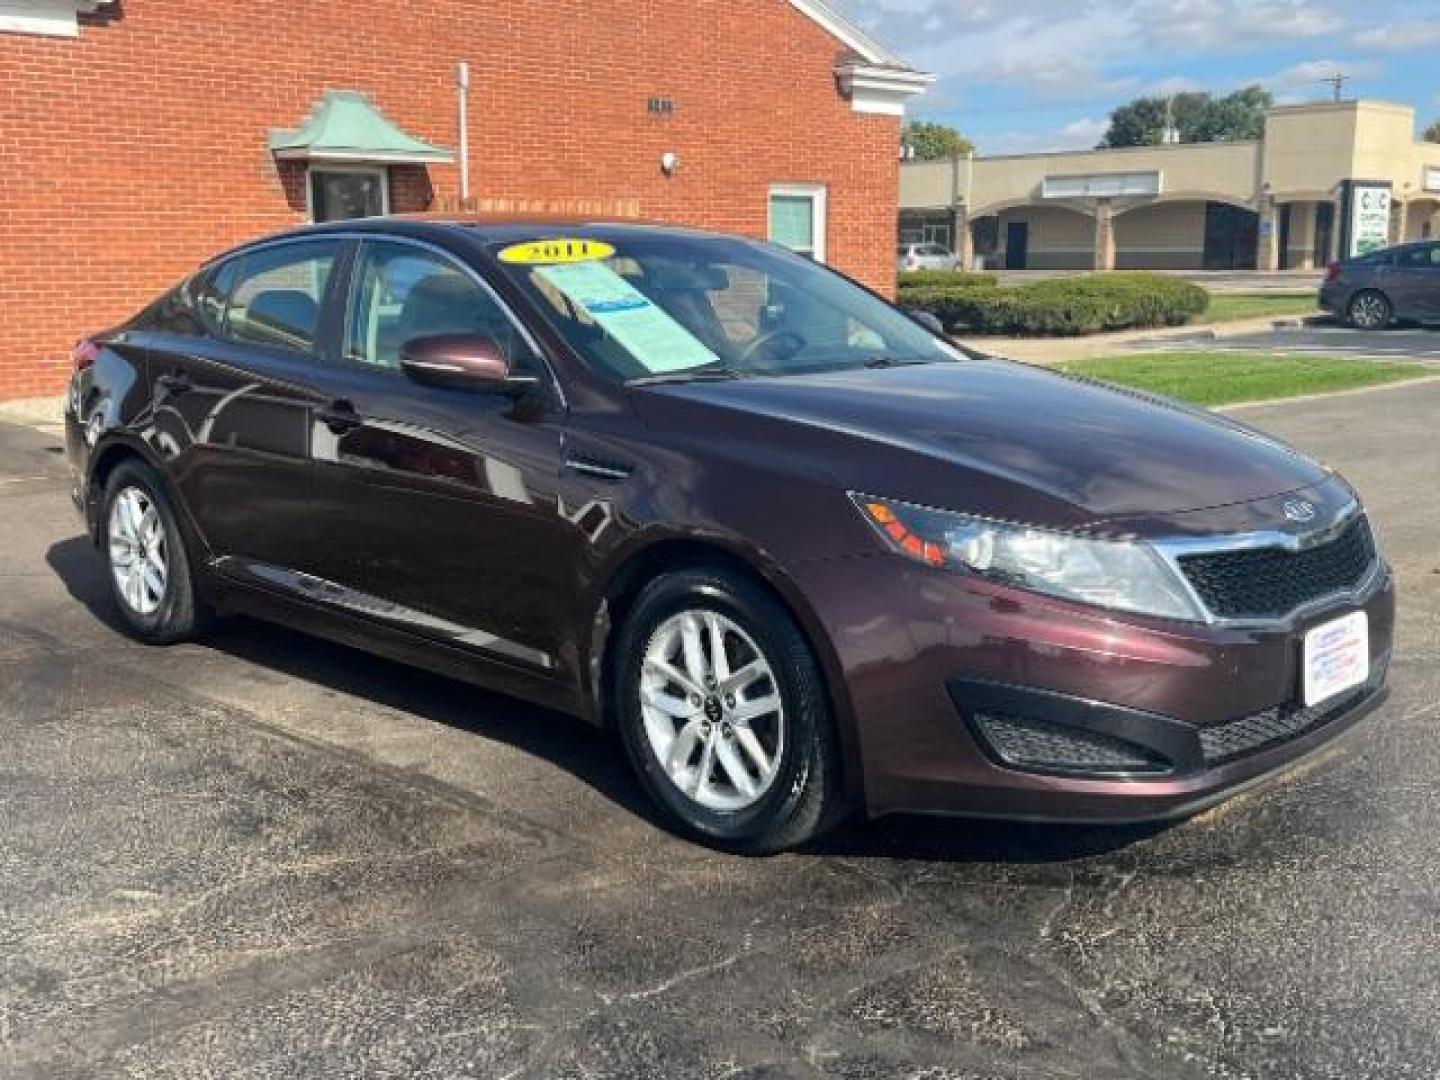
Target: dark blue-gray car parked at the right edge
<point x="1372" y="292"/>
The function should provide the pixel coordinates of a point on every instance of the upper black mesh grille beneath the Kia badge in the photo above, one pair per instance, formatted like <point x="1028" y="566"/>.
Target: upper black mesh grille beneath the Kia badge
<point x="1268" y="582"/>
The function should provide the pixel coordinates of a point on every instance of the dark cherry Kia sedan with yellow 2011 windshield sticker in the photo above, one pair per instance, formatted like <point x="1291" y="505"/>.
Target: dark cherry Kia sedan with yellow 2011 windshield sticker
<point x="800" y="551"/>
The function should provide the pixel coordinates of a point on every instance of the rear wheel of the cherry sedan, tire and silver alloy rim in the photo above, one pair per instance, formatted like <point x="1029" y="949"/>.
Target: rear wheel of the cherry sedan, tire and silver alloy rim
<point x="148" y="564"/>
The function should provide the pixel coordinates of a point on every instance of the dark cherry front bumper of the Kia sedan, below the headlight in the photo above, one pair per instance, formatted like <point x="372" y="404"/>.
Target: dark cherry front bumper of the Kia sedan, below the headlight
<point x="925" y="652"/>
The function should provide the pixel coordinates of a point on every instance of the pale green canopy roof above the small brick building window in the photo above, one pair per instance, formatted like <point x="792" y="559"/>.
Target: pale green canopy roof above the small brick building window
<point x="346" y="127"/>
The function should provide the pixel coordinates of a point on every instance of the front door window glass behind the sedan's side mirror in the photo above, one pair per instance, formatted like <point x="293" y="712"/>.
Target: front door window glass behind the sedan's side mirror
<point x="401" y="293"/>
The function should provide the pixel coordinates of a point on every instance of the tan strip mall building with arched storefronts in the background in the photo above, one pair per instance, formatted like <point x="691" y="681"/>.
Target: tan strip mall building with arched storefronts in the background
<point x="1326" y="181"/>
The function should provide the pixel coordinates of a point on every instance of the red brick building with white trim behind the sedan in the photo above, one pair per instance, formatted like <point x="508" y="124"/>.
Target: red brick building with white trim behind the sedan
<point x="138" y="138"/>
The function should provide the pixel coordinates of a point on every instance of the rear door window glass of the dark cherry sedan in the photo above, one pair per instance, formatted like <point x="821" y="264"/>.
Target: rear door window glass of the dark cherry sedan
<point x="279" y="296"/>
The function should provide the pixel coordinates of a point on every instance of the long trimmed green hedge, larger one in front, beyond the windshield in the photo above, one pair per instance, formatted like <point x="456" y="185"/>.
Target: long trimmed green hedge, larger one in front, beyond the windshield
<point x="1065" y="306"/>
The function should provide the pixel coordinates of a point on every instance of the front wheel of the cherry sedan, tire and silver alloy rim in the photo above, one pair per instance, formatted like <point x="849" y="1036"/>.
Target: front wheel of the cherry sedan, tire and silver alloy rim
<point x="724" y="714"/>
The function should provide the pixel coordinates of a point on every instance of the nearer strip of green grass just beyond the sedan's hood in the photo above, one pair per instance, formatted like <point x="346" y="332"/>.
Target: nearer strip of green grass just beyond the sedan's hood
<point x="1213" y="379"/>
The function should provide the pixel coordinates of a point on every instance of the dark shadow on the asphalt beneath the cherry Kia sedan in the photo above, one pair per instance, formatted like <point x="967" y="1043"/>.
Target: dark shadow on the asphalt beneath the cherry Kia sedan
<point x="590" y="755"/>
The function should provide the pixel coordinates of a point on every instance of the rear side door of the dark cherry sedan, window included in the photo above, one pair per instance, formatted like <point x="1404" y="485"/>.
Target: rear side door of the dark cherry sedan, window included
<point x="234" y="410"/>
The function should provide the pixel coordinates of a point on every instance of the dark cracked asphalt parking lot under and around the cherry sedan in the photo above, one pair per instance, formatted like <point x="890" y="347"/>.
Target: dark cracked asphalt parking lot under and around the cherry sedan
<point x="270" y="856"/>
